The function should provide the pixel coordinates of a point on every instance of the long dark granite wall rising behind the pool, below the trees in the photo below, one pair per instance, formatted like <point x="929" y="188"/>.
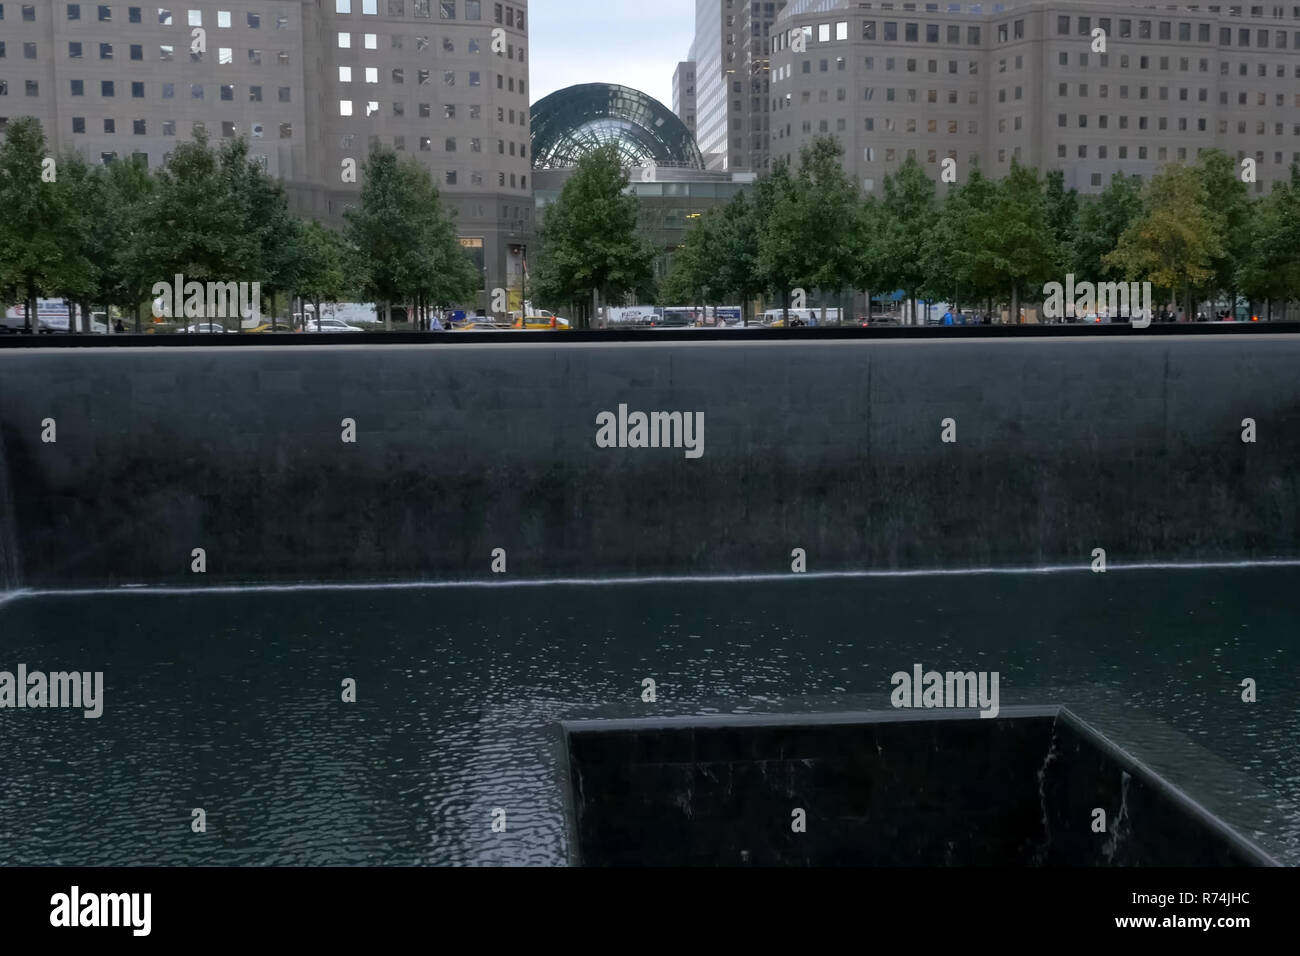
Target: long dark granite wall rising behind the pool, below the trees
<point x="1064" y="445"/>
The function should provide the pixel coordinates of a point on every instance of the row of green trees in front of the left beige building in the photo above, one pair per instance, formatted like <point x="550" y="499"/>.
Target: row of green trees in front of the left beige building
<point x="106" y="235"/>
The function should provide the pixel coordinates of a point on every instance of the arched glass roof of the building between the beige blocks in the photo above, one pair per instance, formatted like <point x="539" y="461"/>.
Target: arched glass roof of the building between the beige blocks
<point x="573" y="123"/>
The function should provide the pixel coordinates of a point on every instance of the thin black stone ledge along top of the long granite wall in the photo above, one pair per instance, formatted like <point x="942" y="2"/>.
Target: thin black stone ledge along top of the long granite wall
<point x="634" y="336"/>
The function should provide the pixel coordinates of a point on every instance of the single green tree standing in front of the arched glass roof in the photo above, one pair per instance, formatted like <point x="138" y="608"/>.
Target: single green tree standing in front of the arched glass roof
<point x="590" y="239"/>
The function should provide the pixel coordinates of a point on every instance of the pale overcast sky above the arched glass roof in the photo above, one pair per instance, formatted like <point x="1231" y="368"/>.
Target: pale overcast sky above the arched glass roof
<point x="636" y="44"/>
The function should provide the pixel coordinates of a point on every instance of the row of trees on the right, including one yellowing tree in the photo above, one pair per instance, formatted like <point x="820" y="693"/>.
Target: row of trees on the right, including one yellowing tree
<point x="1194" y="232"/>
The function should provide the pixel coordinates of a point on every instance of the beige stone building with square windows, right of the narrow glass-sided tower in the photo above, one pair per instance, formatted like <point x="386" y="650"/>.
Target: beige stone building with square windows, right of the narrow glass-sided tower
<point x="1029" y="80"/>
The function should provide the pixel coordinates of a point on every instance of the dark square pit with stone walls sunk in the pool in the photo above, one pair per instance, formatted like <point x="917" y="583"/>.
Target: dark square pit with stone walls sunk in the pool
<point x="877" y="790"/>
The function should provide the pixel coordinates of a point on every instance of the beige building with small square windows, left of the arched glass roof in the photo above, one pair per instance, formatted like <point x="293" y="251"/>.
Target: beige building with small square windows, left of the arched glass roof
<point x="311" y="84"/>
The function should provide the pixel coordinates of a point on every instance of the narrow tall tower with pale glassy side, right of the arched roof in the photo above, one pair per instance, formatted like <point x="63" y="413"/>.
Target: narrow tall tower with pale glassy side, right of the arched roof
<point x="731" y="51"/>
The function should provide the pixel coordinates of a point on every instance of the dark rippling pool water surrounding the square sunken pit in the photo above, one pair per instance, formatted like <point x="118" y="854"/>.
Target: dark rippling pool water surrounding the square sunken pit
<point x="233" y="703"/>
